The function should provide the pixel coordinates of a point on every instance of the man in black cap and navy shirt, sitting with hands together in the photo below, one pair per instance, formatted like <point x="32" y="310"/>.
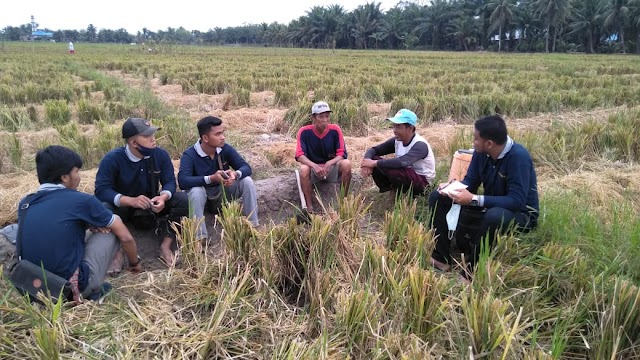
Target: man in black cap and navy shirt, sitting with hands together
<point x="128" y="181"/>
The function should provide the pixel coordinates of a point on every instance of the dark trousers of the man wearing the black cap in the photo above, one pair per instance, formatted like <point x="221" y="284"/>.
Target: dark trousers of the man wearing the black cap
<point x="174" y="210"/>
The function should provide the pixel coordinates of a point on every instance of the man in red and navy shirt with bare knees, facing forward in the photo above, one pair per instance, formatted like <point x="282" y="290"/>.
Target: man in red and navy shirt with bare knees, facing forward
<point x="321" y="152"/>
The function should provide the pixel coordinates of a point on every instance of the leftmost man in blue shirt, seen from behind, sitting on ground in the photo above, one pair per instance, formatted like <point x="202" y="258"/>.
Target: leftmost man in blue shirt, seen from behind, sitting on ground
<point x="54" y="226"/>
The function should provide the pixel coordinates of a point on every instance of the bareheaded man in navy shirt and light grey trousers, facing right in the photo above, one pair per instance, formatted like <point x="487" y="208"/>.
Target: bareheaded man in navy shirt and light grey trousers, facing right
<point x="211" y="169"/>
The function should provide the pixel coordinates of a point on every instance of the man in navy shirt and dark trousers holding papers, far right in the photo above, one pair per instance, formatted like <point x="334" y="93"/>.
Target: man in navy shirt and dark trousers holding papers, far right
<point x="506" y="172"/>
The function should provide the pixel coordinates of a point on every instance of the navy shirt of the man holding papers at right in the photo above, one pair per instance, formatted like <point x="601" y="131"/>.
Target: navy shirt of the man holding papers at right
<point x="508" y="183"/>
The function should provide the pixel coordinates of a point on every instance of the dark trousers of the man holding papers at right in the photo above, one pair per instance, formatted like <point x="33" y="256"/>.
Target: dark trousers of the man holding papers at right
<point x="495" y="219"/>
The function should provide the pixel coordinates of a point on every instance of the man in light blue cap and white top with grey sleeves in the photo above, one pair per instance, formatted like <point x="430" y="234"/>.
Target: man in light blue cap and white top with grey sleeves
<point x="414" y="166"/>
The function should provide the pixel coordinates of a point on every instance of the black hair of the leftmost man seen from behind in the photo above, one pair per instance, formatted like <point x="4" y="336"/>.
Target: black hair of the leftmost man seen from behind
<point x="54" y="161"/>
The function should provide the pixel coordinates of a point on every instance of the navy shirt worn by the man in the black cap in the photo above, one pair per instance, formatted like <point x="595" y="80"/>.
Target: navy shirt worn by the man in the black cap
<point x="117" y="174"/>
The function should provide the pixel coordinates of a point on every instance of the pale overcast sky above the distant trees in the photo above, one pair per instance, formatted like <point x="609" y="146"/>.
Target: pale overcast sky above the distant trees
<point x="133" y="15"/>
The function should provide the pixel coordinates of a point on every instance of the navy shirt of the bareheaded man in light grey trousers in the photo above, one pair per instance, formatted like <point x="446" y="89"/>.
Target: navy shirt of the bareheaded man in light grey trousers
<point x="193" y="167"/>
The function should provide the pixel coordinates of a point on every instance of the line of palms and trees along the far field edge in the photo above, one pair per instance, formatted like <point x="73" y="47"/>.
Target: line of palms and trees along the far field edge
<point x="591" y="26"/>
